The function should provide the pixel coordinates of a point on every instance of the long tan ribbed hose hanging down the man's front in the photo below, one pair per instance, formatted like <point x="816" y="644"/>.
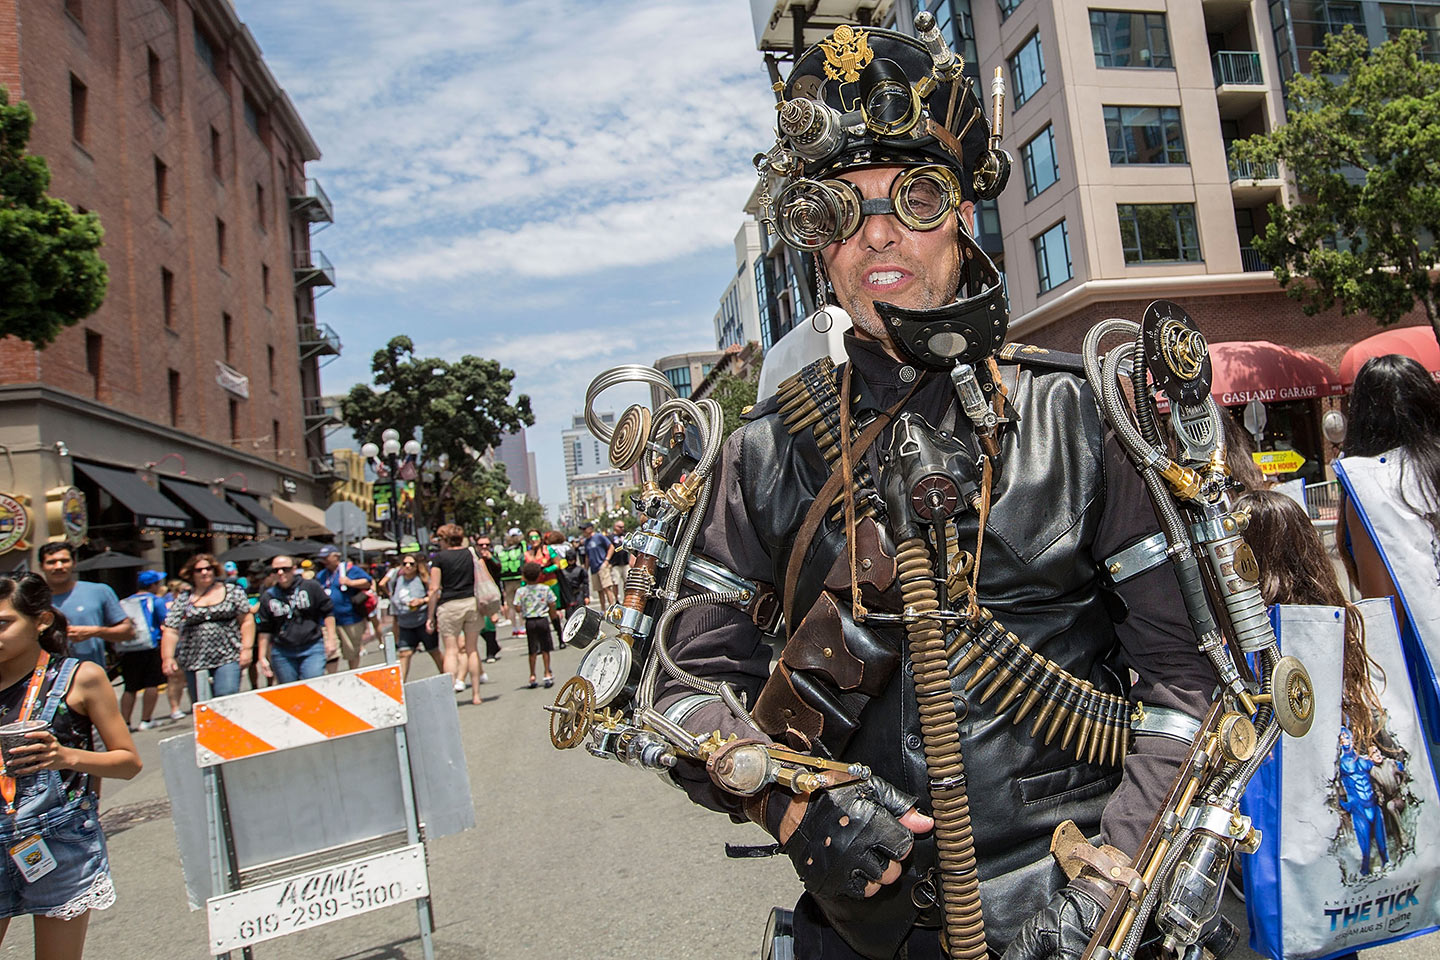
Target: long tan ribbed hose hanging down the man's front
<point x="941" y="733"/>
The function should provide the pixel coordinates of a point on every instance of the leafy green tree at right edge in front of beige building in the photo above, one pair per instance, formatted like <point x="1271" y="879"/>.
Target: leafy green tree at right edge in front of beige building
<point x="1363" y="143"/>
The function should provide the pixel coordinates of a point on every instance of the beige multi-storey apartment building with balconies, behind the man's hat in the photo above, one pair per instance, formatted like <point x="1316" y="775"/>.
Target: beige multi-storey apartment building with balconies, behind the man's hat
<point x="1120" y="119"/>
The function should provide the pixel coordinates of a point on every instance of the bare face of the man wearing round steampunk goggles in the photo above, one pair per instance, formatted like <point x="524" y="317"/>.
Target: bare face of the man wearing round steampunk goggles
<point x="891" y="263"/>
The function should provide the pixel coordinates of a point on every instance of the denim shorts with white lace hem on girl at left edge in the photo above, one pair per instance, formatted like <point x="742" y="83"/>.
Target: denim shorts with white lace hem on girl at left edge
<point x="81" y="877"/>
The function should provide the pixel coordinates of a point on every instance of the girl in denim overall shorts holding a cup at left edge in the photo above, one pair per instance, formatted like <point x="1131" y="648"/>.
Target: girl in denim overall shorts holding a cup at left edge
<point x="50" y="823"/>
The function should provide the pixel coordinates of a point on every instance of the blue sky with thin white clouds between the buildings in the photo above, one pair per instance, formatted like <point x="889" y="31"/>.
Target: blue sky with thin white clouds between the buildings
<point x="555" y="185"/>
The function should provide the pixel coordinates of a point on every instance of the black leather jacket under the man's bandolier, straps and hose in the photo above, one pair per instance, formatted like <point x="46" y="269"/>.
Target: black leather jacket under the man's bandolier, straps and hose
<point x="1040" y="576"/>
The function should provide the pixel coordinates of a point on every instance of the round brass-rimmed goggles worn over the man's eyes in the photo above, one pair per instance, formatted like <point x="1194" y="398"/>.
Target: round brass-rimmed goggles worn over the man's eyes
<point x="814" y="214"/>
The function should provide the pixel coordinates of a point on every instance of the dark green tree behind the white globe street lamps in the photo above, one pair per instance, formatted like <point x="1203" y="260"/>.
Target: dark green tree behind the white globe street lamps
<point x="462" y="408"/>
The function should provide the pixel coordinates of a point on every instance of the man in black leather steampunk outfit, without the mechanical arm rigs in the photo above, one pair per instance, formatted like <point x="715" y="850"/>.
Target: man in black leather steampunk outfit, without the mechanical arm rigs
<point x="1020" y="716"/>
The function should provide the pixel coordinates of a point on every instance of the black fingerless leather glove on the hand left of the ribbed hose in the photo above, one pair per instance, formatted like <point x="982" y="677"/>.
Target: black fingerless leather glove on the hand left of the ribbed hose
<point x="849" y="837"/>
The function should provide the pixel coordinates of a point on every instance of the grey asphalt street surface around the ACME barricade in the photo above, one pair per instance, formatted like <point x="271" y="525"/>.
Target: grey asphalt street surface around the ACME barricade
<point x="571" y="857"/>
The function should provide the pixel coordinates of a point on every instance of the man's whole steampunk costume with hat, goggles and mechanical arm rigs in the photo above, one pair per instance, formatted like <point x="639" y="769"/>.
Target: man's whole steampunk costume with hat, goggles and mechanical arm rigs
<point x="1007" y="595"/>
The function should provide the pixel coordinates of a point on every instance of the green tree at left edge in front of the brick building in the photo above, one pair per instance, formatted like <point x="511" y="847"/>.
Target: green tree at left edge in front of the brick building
<point x="51" y="274"/>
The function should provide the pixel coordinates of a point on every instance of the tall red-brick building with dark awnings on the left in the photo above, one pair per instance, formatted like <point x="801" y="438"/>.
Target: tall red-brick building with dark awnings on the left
<point x="186" y="408"/>
